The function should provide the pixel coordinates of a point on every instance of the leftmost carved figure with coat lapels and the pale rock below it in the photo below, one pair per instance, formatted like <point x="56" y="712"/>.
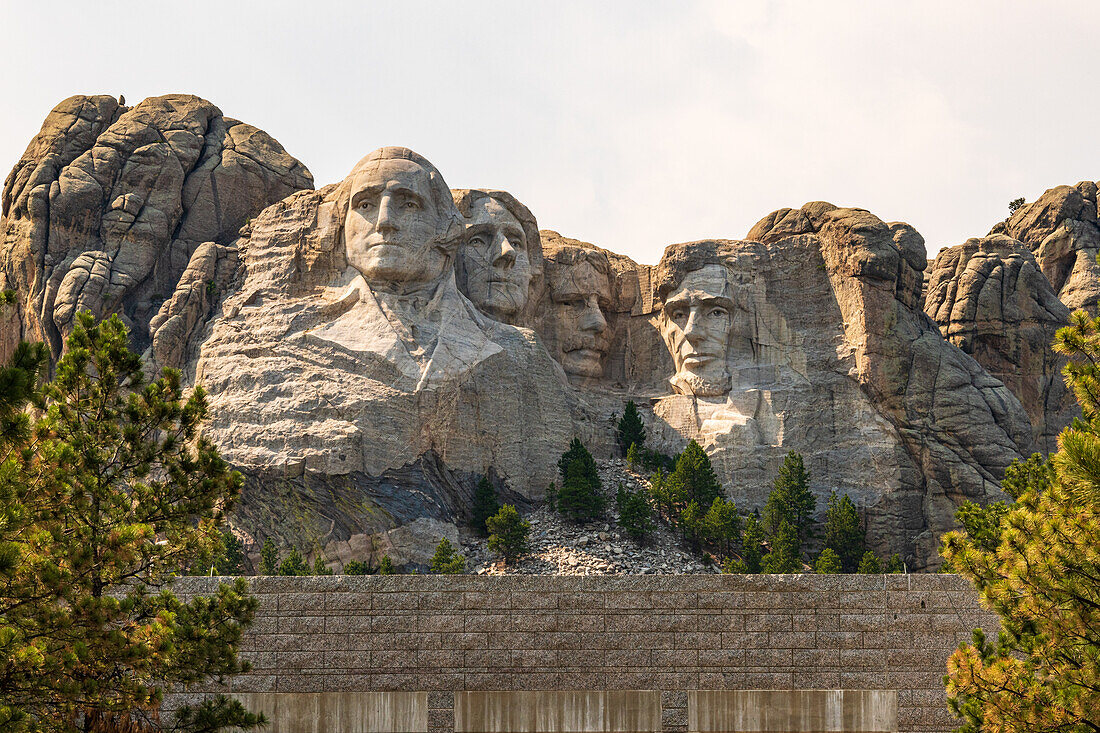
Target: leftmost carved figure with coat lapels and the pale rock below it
<point x="348" y="360"/>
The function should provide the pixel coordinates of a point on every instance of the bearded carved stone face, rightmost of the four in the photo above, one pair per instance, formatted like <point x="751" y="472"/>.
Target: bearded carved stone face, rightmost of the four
<point x="696" y="324"/>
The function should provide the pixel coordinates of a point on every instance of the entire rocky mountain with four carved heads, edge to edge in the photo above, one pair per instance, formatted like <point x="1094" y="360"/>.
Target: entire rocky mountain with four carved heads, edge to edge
<point x="373" y="347"/>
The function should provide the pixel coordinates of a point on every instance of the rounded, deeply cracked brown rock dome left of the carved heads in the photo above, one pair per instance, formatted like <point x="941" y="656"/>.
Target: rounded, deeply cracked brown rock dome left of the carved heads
<point x="109" y="206"/>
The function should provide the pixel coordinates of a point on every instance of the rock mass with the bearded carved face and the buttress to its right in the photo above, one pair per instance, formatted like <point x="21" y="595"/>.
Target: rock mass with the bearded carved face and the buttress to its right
<point x="808" y="338"/>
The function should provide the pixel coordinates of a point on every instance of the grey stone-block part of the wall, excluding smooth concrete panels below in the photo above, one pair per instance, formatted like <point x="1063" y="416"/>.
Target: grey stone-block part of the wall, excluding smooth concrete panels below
<point x="673" y="634"/>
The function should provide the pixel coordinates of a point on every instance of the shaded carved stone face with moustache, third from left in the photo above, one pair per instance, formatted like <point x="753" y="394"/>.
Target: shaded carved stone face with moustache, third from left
<point x="580" y="294"/>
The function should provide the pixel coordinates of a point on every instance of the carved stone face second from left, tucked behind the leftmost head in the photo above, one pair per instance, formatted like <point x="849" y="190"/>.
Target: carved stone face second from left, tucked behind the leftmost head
<point x="497" y="260"/>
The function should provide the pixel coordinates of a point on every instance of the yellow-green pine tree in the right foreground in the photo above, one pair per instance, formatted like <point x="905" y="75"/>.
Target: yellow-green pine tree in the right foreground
<point x="1042" y="579"/>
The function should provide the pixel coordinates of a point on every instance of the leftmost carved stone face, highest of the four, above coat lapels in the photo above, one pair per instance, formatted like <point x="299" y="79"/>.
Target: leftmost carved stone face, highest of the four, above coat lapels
<point x="393" y="225"/>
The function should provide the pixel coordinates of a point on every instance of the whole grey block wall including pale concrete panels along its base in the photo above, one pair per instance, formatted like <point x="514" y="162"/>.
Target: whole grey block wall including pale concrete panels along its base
<point x="711" y="654"/>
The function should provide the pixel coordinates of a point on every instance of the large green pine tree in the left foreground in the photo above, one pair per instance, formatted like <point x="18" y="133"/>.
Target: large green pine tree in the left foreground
<point x="105" y="497"/>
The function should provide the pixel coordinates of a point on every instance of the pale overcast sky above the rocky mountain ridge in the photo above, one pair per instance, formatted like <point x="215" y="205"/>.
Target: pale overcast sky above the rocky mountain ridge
<point x="630" y="125"/>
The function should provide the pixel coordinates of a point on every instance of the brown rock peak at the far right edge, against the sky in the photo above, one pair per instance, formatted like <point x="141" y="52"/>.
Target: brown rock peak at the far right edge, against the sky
<point x="1062" y="231"/>
